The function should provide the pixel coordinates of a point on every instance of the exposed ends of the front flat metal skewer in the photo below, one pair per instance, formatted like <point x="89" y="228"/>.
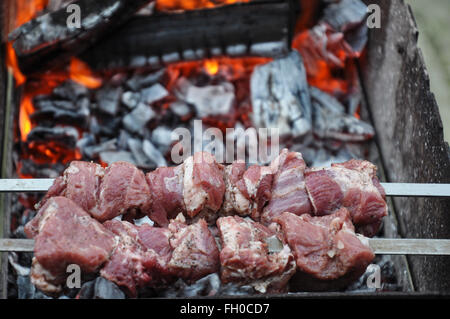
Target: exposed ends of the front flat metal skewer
<point x="380" y="246"/>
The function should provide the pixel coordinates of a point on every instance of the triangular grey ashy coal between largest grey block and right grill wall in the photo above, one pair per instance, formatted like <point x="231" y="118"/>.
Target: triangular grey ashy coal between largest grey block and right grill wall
<point x="331" y="121"/>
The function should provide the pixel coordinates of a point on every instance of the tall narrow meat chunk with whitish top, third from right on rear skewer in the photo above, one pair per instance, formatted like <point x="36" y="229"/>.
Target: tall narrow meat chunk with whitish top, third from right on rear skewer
<point x="288" y="191"/>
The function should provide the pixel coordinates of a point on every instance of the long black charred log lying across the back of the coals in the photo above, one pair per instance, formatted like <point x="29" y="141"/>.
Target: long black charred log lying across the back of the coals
<point x="255" y="28"/>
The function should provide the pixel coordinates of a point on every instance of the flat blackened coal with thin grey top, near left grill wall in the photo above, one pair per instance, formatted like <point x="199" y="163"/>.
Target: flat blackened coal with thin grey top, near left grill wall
<point x="65" y="136"/>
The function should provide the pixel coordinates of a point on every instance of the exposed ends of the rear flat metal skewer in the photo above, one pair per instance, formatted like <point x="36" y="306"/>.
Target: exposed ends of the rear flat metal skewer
<point x="391" y="189"/>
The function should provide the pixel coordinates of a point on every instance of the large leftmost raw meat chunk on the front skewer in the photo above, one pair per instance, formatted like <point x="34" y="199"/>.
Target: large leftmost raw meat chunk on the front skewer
<point x="65" y="234"/>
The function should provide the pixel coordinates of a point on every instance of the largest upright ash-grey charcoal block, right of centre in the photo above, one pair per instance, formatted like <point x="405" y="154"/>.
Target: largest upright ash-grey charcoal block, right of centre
<point x="280" y="96"/>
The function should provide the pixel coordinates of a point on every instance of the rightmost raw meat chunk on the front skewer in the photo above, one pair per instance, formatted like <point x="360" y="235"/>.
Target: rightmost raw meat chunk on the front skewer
<point x="326" y="247"/>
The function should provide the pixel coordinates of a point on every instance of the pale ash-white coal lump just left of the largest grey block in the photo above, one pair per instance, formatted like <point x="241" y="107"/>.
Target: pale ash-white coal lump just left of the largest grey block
<point x="211" y="100"/>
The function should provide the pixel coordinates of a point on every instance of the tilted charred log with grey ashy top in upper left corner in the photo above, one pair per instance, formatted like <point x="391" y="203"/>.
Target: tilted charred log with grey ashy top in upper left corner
<point x="48" y="40"/>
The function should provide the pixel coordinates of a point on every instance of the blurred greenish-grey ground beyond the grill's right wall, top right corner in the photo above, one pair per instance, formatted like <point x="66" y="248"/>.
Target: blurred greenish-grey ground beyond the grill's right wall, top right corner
<point x="433" y="21"/>
